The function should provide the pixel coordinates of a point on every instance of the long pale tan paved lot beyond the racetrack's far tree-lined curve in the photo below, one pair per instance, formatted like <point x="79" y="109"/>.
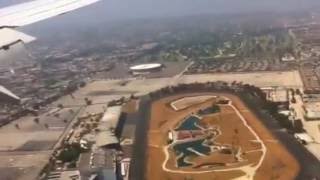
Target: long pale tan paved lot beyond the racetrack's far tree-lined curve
<point x="112" y="89"/>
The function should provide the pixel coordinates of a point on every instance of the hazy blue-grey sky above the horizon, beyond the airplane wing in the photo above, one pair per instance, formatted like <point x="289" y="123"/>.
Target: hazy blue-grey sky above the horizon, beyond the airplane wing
<point x="113" y="10"/>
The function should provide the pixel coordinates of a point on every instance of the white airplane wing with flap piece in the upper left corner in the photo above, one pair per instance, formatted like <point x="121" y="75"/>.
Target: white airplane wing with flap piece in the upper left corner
<point x="31" y="12"/>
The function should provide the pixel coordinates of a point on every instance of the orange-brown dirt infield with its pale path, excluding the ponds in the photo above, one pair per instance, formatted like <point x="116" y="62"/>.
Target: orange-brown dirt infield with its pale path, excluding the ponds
<point x="273" y="163"/>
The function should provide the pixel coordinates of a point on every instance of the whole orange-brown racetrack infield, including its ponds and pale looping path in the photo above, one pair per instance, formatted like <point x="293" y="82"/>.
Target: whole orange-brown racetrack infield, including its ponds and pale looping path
<point x="215" y="137"/>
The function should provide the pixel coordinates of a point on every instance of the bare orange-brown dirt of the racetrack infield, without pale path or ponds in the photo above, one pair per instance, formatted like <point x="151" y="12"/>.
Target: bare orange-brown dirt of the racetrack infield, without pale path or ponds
<point x="277" y="163"/>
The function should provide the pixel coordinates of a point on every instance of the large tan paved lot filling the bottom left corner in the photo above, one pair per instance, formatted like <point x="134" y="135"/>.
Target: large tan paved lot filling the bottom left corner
<point x="24" y="151"/>
